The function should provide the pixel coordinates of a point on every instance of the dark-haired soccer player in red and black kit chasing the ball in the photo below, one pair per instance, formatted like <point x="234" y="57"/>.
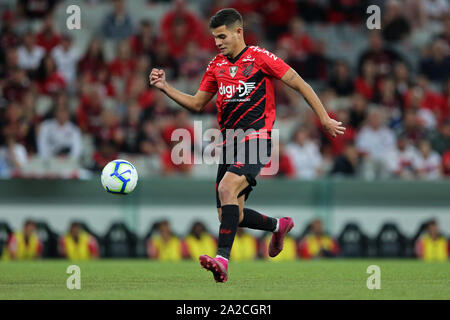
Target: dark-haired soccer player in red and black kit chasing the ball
<point x="242" y="76"/>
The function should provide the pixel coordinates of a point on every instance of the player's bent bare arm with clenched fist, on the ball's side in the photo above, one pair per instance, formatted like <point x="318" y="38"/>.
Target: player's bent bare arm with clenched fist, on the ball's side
<point x="195" y="103"/>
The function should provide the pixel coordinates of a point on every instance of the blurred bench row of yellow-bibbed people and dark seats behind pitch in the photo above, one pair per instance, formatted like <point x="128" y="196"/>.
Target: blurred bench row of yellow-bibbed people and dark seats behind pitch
<point x="36" y="240"/>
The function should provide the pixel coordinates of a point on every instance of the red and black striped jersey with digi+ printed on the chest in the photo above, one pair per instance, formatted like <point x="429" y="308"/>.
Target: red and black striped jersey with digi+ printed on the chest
<point x="245" y="92"/>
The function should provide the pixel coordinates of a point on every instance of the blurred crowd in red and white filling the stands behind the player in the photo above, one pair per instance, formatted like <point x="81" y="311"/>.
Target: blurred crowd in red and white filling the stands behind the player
<point x="90" y="106"/>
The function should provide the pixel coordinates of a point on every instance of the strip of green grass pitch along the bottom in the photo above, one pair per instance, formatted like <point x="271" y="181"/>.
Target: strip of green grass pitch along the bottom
<point x="144" y="279"/>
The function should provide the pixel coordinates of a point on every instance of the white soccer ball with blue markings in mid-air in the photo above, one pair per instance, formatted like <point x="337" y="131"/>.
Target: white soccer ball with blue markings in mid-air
<point x="119" y="177"/>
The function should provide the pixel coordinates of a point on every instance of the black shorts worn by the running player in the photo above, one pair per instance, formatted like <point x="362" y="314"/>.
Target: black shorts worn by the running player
<point x="246" y="158"/>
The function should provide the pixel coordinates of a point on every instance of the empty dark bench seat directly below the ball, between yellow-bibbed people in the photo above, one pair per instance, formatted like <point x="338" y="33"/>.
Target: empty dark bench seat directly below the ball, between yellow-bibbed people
<point x="120" y="242"/>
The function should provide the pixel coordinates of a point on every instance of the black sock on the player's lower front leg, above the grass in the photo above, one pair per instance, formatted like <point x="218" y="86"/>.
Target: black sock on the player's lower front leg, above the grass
<point x="228" y="228"/>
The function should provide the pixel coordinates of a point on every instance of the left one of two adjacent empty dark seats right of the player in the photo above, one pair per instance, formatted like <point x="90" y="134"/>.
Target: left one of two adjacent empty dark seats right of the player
<point x="353" y="242"/>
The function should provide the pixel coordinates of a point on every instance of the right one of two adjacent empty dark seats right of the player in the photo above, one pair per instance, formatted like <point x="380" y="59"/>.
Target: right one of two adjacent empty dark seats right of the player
<point x="391" y="243"/>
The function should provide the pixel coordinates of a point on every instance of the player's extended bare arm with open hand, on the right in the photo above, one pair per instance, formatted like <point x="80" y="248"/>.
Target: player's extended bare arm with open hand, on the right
<point x="293" y="80"/>
